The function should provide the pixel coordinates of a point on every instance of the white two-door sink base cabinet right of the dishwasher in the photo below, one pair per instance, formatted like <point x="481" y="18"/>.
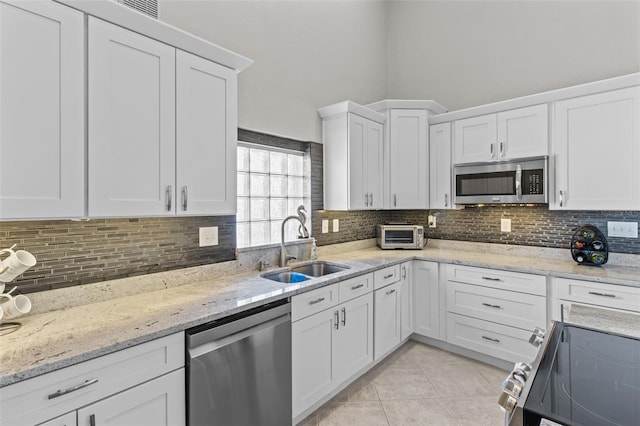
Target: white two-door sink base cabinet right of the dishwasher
<point x="332" y="345"/>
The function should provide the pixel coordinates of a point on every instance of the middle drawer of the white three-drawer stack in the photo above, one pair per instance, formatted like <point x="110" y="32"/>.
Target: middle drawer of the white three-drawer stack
<point x="519" y="310"/>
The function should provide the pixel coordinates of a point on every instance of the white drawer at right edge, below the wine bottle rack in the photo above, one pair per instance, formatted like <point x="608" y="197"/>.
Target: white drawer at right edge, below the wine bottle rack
<point x="608" y="295"/>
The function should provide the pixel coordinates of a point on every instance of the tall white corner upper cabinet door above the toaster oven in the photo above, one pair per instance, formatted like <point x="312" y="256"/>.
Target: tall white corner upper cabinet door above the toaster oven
<point x="408" y="159"/>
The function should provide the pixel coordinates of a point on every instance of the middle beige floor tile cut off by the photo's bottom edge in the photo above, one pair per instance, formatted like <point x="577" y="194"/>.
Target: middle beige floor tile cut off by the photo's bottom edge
<point x="422" y="412"/>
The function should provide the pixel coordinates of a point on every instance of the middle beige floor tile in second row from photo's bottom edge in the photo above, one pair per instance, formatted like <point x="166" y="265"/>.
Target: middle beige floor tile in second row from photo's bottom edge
<point x="403" y="384"/>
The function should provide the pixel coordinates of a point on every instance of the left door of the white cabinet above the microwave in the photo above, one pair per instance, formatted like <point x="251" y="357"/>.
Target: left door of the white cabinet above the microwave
<point x="475" y="139"/>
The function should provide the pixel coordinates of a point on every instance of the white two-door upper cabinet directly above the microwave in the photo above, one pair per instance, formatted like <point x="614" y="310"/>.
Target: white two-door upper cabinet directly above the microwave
<point x="517" y="133"/>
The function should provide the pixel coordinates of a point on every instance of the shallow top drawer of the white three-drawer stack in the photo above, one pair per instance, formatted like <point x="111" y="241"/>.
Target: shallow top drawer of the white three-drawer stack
<point x="506" y="280"/>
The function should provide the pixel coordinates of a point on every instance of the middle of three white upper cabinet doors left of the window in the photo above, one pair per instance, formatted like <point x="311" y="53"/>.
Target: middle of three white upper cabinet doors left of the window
<point x="131" y="123"/>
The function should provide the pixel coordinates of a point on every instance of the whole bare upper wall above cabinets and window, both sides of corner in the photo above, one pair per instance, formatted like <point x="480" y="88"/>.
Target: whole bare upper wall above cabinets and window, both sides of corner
<point x="312" y="53"/>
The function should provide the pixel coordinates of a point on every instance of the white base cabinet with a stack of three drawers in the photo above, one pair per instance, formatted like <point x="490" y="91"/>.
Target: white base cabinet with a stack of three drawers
<point x="493" y="312"/>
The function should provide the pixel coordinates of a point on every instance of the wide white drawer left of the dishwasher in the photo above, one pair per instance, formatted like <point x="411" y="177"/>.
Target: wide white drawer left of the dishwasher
<point x="36" y="400"/>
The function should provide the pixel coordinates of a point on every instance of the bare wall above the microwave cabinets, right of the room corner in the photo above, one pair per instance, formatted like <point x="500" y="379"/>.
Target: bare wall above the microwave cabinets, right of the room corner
<point x="469" y="53"/>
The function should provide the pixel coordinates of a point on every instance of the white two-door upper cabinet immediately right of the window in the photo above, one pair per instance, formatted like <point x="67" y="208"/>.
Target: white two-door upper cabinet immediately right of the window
<point x="353" y="147"/>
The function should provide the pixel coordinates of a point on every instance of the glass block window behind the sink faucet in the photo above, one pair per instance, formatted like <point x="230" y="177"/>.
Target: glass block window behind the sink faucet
<point x="270" y="188"/>
